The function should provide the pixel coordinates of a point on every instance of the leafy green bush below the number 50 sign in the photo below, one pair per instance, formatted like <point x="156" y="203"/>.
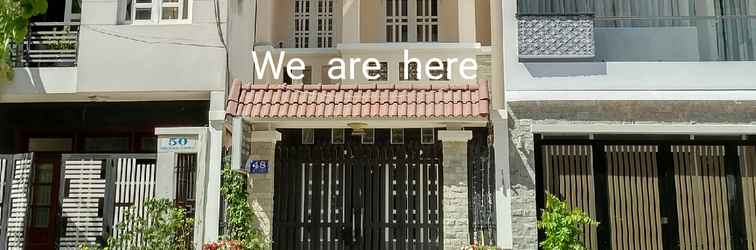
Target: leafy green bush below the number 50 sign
<point x="164" y="226"/>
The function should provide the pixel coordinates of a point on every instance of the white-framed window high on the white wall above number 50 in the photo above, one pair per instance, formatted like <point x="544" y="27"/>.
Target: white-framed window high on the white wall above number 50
<point x="156" y="11"/>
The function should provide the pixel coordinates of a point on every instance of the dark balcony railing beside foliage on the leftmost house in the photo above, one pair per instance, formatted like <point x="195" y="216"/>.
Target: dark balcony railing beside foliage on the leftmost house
<point x="48" y="44"/>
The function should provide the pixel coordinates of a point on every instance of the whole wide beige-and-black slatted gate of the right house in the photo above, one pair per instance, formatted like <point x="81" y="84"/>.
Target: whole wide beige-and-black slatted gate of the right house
<point x="655" y="195"/>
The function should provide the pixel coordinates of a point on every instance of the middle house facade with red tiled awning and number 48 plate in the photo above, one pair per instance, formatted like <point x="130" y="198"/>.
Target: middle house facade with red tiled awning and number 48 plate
<point x="395" y="162"/>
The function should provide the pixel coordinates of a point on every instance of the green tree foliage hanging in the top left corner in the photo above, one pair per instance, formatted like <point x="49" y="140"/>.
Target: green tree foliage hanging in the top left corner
<point x="14" y="24"/>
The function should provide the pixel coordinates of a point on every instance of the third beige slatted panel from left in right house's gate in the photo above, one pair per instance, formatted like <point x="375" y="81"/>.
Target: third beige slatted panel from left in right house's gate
<point x="702" y="202"/>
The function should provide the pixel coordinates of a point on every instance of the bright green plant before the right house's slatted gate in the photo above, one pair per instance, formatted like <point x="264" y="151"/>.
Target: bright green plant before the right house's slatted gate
<point x="562" y="225"/>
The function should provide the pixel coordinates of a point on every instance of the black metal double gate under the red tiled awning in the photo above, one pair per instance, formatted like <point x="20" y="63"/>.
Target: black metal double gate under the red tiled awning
<point x="358" y="196"/>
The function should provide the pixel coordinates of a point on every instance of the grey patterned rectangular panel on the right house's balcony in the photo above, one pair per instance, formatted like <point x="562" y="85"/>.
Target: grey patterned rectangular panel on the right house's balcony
<point x="555" y="36"/>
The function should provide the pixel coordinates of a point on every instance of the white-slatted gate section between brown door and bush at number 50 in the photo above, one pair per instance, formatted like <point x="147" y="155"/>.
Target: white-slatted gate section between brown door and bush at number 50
<point x="98" y="190"/>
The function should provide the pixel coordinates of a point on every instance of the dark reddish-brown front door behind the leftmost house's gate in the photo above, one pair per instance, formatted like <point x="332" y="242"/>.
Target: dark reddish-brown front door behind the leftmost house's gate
<point x="44" y="202"/>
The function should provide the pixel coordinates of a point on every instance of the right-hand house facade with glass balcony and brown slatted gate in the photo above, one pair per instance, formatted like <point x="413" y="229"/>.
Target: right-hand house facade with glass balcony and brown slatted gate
<point x="640" y="113"/>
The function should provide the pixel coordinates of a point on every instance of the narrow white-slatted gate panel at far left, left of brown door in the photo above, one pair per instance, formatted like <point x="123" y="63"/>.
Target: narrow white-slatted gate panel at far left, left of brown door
<point x="19" y="201"/>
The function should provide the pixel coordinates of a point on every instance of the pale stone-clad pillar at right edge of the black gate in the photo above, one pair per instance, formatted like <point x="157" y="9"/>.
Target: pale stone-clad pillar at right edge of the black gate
<point x="455" y="200"/>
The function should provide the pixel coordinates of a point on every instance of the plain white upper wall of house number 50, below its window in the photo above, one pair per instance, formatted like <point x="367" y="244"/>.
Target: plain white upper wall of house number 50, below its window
<point x="122" y="57"/>
